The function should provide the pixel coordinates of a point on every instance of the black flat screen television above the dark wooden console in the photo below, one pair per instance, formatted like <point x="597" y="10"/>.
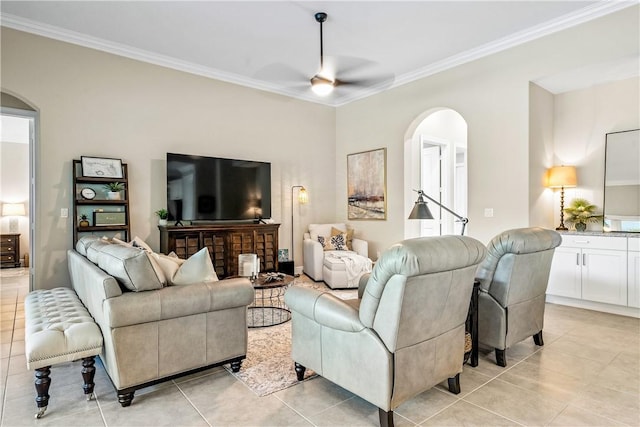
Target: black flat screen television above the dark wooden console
<point x="209" y="189"/>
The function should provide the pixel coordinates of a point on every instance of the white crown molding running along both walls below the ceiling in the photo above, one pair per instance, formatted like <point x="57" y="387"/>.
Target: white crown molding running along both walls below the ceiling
<point x="584" y="15"/>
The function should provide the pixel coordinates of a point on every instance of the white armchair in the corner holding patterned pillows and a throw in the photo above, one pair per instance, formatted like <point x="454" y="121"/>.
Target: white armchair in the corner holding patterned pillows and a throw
<point x="321" y="265"/>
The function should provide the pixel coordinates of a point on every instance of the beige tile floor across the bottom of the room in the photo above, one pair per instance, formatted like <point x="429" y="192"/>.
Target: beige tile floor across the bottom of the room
<point x="587" y="374"/>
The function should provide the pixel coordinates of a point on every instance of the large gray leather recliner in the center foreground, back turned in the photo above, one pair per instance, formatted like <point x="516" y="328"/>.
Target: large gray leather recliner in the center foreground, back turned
<point x="406" y="331"/>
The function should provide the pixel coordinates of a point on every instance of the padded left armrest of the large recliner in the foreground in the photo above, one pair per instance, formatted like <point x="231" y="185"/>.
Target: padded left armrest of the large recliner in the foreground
<point x="324" y="308"/>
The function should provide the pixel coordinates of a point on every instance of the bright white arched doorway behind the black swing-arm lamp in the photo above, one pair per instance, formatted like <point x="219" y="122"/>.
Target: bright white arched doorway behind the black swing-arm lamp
<point x="436" y="162"/>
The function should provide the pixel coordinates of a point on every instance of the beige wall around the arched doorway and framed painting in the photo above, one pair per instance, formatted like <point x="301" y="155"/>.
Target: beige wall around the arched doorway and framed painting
<point x="492" y="94"/>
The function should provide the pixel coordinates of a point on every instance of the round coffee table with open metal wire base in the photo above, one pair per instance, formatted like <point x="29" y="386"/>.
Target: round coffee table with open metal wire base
<point x="268" y="308"/>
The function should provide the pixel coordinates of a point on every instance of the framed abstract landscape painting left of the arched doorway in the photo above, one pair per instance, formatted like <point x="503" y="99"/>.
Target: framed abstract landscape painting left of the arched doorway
<point x="367" y="185"/>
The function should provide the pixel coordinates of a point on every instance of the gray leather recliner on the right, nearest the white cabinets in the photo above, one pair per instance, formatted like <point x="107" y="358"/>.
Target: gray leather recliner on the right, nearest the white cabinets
<point x="513" y="281"/>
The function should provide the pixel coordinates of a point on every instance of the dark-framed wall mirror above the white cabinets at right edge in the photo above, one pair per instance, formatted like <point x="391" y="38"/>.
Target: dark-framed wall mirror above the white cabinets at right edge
<point x="622" y="181"/>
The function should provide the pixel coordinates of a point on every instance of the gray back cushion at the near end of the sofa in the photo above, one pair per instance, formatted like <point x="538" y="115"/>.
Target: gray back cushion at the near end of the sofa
<point x="130" y="266"/>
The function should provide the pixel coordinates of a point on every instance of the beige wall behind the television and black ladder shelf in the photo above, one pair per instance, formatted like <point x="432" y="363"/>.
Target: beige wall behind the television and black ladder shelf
<point x="93" y="103"/>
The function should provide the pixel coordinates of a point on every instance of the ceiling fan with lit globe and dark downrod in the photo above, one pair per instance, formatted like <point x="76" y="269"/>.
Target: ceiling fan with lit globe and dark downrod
<point x="325" y="81"/>
